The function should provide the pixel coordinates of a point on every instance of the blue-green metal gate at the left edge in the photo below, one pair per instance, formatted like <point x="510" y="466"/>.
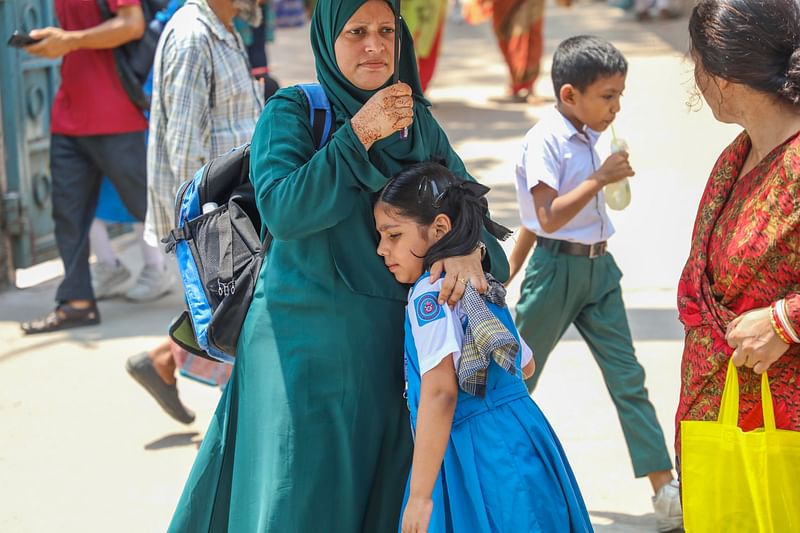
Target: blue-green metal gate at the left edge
<point x="28" y="86"/>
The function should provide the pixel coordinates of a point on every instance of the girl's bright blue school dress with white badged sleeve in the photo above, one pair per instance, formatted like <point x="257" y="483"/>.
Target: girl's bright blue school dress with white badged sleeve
<point x="504" y="469"/>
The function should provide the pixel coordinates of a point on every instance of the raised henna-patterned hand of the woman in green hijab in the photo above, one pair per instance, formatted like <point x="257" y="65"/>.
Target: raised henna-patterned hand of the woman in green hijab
<point x="389" y="110"/>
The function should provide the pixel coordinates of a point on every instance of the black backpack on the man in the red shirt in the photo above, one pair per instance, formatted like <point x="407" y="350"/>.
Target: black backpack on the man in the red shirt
<point x="134" y="60"/>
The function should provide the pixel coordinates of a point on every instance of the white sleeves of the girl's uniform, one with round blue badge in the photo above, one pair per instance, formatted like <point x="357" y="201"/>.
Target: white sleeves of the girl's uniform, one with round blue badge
<point x="438" y="331"/>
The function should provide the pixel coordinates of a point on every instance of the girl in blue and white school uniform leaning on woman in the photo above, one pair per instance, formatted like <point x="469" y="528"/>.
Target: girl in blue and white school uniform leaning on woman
<point x="485" y="457"/>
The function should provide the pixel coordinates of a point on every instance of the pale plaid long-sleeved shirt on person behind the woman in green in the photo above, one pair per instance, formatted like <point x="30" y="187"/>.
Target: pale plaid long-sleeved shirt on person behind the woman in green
<point x="204" y="103"/>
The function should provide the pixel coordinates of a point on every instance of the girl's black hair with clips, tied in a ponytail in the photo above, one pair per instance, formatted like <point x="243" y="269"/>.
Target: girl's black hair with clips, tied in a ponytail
<point x="425" y="190"/>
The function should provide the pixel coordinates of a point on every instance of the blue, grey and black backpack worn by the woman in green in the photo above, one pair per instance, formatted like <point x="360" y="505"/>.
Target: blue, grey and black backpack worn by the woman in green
<point x="218" y="246"/>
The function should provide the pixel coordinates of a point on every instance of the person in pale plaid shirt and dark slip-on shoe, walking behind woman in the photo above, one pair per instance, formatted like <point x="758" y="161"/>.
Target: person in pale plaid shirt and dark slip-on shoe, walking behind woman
<point x="205" y="102"/>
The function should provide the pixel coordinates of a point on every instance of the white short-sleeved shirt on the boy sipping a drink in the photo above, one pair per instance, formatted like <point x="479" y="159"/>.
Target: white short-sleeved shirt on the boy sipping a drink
<point x="555" y="153"/>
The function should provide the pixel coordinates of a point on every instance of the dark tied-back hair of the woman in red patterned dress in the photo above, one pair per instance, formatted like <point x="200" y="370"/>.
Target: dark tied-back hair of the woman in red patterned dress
<point x="751" y="42"/>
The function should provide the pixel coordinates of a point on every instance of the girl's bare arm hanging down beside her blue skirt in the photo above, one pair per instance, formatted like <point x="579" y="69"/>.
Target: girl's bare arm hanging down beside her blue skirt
<point x="437" y="403"/>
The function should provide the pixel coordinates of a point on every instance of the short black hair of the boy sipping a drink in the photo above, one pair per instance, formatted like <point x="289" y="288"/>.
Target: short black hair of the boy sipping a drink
<point x="582" y="60"/>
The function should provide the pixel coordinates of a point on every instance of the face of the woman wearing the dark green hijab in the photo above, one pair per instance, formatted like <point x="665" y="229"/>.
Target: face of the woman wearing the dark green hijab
<point x="365" y="49"/>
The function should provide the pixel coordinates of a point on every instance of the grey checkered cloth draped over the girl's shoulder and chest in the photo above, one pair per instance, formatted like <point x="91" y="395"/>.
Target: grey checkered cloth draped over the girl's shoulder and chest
<point x="485" y="338"/>
